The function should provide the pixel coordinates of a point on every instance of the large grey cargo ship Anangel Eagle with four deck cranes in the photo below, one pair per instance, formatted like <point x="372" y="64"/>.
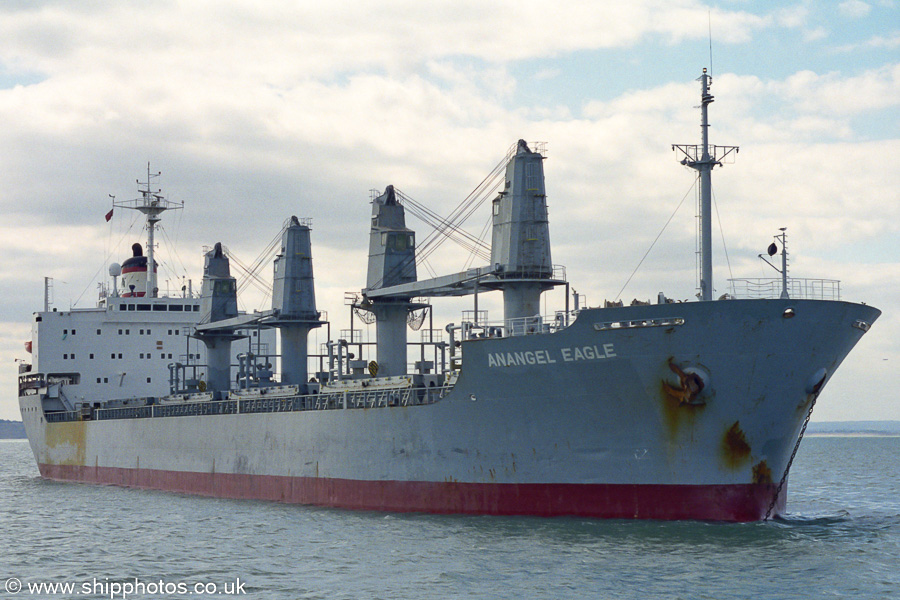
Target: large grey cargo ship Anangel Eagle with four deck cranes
<point x="672" y="410"/>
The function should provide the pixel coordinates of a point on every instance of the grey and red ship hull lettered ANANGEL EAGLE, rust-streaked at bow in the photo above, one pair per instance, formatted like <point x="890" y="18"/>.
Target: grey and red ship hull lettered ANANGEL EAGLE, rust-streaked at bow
<point x="672" y="411"/>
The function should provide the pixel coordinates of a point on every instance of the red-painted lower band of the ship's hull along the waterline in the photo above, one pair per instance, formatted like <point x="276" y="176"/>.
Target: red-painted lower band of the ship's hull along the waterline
<point x="737" y="502"/>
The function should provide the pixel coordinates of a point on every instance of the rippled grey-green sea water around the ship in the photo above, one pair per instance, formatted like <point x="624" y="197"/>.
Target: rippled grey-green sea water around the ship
<point x="841" y="539"/>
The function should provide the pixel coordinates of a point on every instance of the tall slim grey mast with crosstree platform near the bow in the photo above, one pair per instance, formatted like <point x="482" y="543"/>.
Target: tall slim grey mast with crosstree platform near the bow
<point x="703" y="158"/>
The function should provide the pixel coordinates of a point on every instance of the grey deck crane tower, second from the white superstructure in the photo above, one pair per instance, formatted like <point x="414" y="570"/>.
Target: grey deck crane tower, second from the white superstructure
<point x="294" y="300"/>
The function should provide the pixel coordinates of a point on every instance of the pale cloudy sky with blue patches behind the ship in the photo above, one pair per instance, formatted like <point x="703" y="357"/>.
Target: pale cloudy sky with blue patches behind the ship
<point x="254" y="111"/>
